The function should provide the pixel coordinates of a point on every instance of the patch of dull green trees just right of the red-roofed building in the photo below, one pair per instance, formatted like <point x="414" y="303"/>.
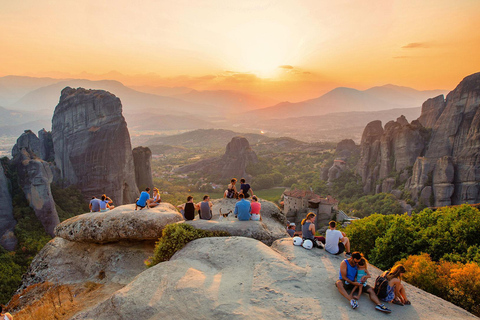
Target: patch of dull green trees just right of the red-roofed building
<point x="384" y="203"/>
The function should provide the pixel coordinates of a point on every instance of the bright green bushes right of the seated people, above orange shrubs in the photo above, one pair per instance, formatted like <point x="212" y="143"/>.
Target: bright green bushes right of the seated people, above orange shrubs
<point x="450" y="234"/>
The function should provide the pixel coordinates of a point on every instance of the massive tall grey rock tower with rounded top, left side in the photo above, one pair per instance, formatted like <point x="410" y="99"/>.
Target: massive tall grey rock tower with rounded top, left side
<point x="92" y="144"/>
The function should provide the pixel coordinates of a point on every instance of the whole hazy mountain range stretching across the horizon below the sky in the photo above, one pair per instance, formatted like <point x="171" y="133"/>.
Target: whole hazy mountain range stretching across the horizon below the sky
<point x="340" y="113"/>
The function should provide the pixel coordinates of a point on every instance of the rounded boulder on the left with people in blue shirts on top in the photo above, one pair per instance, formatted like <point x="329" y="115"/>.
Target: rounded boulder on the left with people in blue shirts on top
<point x="121" y="223"/>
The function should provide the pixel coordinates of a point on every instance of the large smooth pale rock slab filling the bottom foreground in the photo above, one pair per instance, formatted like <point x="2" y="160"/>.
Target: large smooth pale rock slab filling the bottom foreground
<point x="241" y="278"/>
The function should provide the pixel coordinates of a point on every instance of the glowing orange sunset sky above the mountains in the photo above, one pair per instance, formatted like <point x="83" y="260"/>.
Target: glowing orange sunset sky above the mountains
<point x="289" y="50"/>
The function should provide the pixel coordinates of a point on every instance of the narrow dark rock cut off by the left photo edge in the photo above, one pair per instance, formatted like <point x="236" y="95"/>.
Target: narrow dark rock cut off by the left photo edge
<point x="7" y="221"/>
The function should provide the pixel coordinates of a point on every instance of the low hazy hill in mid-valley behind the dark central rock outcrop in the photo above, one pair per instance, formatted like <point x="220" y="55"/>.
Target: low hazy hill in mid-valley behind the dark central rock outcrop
<point x="209" y="139"/>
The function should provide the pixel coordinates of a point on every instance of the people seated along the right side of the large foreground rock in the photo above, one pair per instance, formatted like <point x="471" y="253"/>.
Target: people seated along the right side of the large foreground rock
<point x="354" y="272"/>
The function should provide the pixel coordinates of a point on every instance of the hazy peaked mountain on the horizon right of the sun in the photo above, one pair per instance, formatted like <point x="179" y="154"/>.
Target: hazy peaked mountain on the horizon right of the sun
<point x="348" y="99"/>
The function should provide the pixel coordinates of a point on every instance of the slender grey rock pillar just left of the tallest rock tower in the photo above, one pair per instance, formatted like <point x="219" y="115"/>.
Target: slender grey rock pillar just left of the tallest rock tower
<point x="35" y="177"/>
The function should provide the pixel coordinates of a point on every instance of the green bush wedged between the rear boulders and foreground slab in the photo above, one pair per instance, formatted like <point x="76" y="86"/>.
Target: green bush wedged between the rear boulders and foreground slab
<point x="175" y="237"/>
